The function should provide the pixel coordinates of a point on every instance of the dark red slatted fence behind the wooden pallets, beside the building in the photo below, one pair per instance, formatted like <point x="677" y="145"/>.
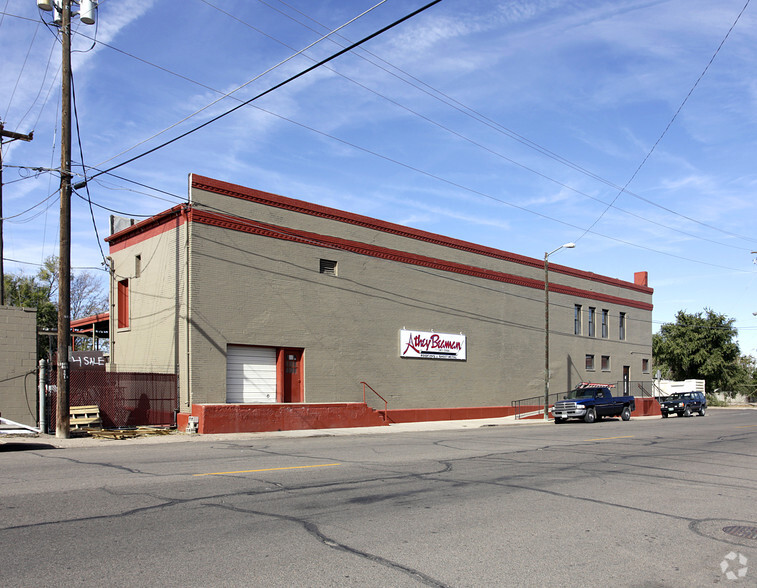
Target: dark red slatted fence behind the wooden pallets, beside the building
<point x="125" y="399"/>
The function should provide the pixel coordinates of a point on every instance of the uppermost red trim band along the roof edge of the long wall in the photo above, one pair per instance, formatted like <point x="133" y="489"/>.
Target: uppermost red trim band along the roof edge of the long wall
<point x="274" y="200"/>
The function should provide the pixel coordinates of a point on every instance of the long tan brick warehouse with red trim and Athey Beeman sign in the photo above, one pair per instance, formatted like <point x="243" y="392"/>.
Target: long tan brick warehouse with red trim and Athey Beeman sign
<point x="273" y="286"/>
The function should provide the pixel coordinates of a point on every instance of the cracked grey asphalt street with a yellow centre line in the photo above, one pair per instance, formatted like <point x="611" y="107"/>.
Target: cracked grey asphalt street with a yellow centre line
<point x="648" y="502"/>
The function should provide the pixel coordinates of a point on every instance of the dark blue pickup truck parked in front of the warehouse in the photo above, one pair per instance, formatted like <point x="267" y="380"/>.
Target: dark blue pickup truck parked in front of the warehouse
<point x="591" y="402"/>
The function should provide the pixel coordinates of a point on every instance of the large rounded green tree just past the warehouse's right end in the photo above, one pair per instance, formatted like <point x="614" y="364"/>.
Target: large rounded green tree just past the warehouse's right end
<point x="700" y="346"/>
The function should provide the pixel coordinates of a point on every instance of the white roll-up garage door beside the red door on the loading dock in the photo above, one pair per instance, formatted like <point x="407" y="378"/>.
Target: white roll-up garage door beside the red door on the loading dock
<point x="250" y="374"/>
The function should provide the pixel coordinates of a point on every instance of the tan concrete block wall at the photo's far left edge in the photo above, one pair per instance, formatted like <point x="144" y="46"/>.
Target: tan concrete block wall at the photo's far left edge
<point x="18" y="364"/>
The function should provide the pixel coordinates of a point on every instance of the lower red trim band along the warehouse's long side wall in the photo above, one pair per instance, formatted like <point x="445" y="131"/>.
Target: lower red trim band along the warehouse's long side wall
<point x="256" y="228"/>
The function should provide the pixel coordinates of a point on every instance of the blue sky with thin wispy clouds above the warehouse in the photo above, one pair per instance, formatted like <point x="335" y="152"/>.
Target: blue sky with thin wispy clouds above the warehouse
<point x="512" y="124"/>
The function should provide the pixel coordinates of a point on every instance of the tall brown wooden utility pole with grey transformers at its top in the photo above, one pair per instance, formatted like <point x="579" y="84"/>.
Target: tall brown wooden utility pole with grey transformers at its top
<point x="62" y="19"/>
